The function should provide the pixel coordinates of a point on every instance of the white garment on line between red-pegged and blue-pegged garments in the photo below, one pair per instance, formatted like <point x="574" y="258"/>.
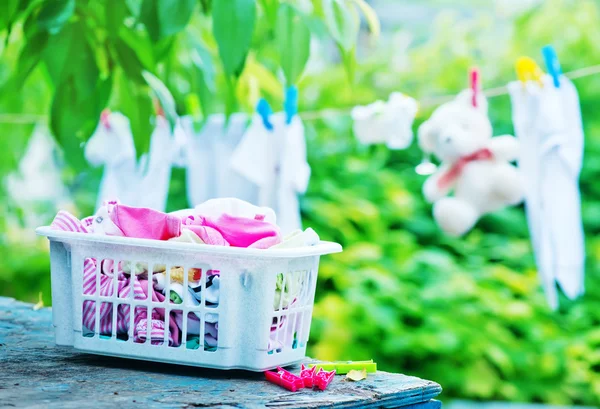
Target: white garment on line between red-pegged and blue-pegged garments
<point x="208" y="157"/>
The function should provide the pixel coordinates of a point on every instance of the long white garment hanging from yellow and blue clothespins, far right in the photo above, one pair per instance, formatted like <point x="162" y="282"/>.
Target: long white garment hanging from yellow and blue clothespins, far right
<point x="548" y="124"/>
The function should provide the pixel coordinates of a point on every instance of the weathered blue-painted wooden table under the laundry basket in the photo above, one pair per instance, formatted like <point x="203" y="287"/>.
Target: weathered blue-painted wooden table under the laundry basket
<point x="35" y="373"/>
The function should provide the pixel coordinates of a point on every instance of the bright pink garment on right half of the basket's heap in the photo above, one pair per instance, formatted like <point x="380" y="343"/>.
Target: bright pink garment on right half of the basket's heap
<point x="244" y="232"/>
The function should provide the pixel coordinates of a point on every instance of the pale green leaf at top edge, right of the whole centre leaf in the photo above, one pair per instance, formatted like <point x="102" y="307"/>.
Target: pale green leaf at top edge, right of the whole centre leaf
<point x="342" y="21"/>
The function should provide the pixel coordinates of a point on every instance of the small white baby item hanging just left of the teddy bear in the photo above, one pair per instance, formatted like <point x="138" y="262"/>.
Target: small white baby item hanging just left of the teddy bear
<point x="386" y="122"/>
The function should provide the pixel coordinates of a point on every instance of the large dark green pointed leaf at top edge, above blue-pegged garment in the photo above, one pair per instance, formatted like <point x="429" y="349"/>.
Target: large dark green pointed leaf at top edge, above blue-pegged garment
<point x="233" y="26"/>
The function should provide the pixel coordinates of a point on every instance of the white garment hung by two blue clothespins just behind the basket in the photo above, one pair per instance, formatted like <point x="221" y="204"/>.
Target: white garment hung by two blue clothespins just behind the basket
<point x="275" y="161"/>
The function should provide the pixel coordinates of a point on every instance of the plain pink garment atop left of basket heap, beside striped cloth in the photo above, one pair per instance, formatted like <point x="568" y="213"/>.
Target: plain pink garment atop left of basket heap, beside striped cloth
<point x="144" y="223"/>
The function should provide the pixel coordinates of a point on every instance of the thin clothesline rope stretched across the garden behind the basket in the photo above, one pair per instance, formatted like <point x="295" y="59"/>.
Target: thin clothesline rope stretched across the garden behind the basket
<point x="333" y="112"/>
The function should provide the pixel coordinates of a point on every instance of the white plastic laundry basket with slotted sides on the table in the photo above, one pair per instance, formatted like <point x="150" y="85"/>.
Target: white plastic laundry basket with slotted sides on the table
<point x="262" y="315"/>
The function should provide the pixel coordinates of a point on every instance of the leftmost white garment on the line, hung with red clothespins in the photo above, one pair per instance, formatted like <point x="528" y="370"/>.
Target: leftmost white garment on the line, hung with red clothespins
<point x="143" y="184"/>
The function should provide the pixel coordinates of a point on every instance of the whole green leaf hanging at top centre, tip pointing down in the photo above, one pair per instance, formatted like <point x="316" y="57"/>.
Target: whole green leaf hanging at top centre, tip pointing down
<point x="293" y="40"/>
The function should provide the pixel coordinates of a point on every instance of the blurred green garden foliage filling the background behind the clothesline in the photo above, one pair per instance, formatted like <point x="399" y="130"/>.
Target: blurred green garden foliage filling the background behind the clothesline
<point x="468" y="313"/>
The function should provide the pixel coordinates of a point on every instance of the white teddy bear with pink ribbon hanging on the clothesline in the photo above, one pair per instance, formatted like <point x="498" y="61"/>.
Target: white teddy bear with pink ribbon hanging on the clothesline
<point x="474" y="165"/>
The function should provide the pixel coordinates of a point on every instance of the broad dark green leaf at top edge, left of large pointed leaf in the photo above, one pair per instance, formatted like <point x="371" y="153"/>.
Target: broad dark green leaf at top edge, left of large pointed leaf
<point x="164" y="18"/>
